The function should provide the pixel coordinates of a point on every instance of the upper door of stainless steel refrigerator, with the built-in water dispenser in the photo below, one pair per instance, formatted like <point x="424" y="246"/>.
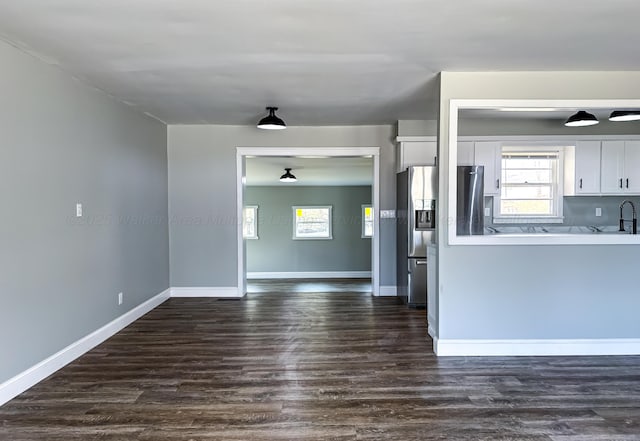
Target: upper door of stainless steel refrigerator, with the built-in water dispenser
<point x="421" y="210"/>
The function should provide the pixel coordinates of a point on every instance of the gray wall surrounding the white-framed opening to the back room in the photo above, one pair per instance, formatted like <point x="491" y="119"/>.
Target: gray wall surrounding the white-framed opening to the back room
<point x="202" y="195"/>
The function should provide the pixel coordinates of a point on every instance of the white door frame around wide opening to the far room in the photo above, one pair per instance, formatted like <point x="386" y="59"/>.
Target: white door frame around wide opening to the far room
<point x="243" y="152"/>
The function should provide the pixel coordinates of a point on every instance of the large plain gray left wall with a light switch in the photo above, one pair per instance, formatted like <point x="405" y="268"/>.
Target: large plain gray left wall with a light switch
<point x="63" y="143"/>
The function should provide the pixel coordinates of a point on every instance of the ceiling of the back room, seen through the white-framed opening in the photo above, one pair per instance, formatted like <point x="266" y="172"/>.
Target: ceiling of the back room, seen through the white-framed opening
<point x="262" y="171"/>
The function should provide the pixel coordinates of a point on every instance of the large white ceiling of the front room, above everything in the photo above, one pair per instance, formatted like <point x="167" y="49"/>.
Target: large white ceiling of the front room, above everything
<point x="322" y="62"/>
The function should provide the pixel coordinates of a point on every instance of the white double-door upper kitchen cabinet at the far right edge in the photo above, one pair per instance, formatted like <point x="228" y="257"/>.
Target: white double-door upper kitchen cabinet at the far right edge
<point x="620" y="167"/>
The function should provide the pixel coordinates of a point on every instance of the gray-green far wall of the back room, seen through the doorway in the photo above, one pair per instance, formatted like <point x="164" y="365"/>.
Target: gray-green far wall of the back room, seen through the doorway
<point x="276" y="251"/>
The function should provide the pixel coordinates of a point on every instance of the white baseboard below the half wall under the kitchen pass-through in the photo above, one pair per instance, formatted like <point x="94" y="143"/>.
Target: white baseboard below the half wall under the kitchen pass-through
<point x="551" y="347"/>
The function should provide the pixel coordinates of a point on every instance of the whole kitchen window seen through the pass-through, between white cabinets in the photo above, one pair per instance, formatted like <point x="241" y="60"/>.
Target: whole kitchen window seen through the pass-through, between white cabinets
<point x="531" y="189"/>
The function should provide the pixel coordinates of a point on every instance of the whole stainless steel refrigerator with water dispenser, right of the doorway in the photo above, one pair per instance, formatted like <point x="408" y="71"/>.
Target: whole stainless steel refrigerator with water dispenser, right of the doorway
<point x="417" y="194"/>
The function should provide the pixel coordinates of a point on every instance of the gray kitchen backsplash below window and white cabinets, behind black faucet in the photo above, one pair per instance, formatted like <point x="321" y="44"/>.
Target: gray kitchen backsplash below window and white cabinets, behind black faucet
<point x="581" y="210"/>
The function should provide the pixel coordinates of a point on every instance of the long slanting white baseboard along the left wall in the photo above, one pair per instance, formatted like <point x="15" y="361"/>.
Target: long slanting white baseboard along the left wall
<point x="26" y="379"/>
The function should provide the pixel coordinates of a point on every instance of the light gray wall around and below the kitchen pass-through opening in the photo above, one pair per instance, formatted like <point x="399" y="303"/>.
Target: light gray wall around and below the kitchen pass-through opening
<point x="532" y="292"/>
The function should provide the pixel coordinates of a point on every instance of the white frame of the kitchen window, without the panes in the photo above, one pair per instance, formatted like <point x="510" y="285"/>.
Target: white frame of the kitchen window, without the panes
<point x="557" y="189"/>
